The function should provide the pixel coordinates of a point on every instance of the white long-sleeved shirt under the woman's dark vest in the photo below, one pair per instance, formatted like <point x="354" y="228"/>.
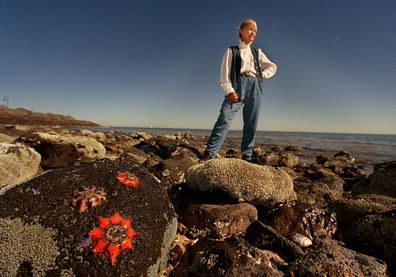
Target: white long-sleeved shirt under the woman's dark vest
<point x="268" y="68"/>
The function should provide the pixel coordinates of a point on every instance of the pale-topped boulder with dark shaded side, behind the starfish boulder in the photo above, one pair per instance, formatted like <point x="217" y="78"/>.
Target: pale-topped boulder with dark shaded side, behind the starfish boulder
<point x="60" y="150"/>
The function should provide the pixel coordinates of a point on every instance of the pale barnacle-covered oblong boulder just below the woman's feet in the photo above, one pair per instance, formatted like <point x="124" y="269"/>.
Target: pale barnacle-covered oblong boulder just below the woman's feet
<point x="247" y="182"/>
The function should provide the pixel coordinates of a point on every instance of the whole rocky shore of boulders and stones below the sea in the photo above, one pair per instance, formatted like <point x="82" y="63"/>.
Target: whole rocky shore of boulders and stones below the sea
<point x="83" y="203"/>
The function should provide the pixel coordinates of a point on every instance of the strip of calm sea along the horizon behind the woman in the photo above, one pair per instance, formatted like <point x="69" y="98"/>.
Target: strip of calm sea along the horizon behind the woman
<point x="370" y="148"/>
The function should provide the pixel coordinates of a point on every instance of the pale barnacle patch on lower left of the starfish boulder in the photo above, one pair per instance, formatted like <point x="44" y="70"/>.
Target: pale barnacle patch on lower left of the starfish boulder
<point x="26" y="245"/>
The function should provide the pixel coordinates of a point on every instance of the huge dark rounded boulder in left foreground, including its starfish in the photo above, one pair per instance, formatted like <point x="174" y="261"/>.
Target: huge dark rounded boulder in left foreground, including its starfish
<point x="48" y="203"/>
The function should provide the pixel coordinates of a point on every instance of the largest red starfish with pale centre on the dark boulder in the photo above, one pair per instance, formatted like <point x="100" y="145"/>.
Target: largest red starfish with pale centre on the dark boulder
<point x="113" y="235"/>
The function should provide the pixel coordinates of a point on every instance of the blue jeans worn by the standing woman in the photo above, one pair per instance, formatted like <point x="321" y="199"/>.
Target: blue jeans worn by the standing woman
<point x="250" y="91"/>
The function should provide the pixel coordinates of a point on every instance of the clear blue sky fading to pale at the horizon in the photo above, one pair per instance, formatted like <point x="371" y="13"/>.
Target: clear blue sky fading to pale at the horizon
<point x="156" y="63"/>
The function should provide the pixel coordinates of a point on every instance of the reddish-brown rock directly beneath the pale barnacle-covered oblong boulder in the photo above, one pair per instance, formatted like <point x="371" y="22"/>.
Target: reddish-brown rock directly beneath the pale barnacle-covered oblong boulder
<point x="218" y="221"/>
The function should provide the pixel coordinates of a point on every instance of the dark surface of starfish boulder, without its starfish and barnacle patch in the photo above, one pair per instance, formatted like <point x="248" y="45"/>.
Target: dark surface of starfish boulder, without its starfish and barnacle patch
<point x="46" y="201"/>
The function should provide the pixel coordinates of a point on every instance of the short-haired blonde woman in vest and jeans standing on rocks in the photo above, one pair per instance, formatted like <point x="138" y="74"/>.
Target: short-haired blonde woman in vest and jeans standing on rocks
<point x="243" y="70"/>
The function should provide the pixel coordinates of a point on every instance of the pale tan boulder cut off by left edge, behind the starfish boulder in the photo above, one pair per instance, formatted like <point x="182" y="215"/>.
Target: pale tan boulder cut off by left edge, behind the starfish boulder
<point x="17" y="163"/>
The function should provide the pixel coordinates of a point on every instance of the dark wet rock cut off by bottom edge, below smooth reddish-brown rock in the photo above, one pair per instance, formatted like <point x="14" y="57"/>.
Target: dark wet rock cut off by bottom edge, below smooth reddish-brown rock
<point x="232" y="257"/>
